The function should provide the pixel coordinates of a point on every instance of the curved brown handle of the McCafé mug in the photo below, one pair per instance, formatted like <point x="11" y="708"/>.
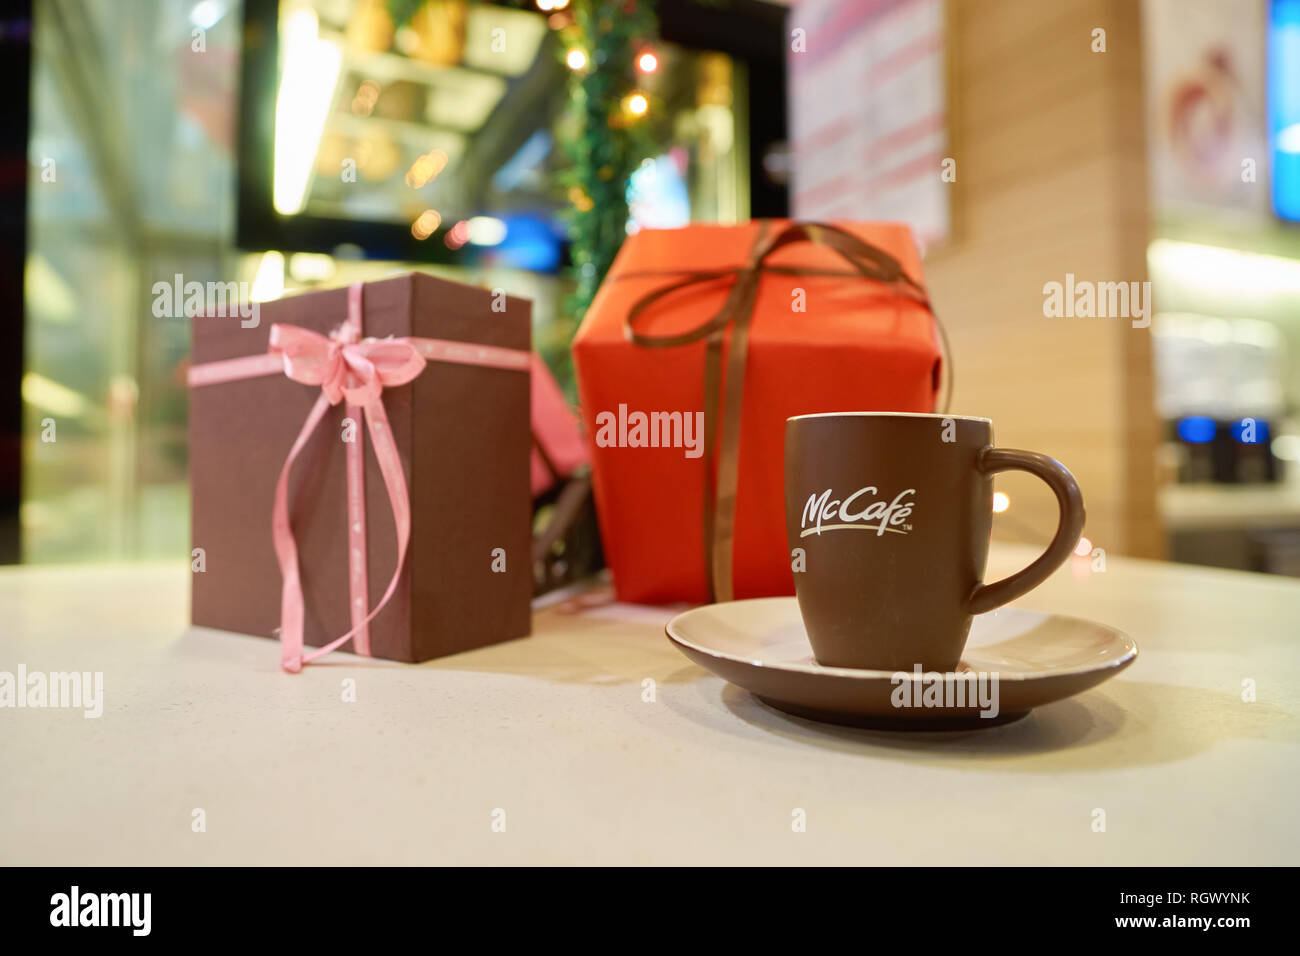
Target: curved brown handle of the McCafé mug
<point x="991" y="461"/>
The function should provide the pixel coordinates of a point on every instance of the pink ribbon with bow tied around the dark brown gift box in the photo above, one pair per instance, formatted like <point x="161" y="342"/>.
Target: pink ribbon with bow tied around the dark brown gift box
<point x="356" y="371"/>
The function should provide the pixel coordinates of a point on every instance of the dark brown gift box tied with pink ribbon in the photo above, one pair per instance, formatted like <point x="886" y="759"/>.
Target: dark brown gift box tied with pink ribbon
<point x="462" y="432"/>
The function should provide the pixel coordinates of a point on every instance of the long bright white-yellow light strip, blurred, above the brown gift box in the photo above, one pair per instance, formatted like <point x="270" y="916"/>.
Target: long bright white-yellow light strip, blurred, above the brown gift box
<point x="306" y="93"/>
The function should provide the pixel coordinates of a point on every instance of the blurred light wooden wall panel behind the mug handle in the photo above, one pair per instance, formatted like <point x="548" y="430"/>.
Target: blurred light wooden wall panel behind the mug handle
<point x="1051" y="180"/>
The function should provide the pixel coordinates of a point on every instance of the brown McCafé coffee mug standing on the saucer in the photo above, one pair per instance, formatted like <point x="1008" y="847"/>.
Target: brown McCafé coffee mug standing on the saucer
<point x="889" y="518"/>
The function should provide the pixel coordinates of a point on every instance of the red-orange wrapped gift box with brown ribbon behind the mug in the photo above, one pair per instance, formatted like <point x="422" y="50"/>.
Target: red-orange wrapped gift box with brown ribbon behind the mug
<point x="736" y="328"/>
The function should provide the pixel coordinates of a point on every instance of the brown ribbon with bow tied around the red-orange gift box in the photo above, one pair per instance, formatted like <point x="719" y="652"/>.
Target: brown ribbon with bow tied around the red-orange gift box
<point x="738" y="312"/>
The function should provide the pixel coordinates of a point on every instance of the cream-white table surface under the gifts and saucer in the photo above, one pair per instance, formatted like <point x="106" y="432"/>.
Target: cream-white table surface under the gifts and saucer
<point x="554" y="732"/>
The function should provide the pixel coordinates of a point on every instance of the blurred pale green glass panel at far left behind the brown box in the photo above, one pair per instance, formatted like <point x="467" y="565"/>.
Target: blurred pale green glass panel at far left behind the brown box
<point x="135" y="105"/>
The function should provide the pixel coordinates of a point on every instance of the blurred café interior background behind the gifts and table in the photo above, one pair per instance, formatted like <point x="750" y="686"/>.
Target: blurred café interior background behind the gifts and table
<point x="297" y="144"/>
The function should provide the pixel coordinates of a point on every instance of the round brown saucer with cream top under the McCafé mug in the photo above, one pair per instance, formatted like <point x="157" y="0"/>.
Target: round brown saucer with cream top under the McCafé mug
<point x="1039" y="659"/>
